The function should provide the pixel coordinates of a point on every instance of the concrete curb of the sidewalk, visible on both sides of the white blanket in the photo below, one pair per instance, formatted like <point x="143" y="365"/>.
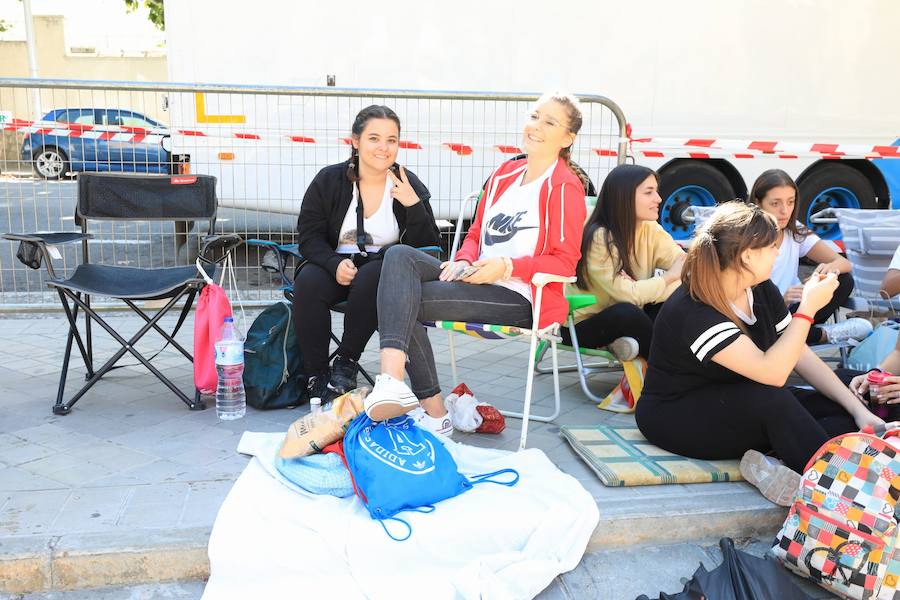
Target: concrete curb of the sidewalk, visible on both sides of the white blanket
<point x="73" y="562"/>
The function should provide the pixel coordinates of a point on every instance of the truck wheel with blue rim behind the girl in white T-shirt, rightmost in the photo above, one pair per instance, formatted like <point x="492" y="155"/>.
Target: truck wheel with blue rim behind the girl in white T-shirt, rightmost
<point x="833" y="186"/>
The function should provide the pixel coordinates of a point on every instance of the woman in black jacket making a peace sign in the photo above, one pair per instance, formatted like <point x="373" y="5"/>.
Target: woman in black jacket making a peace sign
<point x="343" y="242"/>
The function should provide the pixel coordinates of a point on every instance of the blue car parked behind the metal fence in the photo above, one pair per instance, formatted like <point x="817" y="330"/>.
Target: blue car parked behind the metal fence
<point x="55" y="155"/>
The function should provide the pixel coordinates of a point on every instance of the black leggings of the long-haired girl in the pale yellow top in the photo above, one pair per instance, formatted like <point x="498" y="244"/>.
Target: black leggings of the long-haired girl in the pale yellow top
<point x="618" y="320"/>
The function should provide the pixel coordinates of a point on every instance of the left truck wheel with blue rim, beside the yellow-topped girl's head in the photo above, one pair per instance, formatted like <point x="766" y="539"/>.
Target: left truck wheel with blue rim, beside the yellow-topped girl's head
<point x="685" y="184"/>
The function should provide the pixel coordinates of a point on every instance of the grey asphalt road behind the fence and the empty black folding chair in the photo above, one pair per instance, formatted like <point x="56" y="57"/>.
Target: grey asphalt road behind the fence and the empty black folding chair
<point x="30" y="205"/>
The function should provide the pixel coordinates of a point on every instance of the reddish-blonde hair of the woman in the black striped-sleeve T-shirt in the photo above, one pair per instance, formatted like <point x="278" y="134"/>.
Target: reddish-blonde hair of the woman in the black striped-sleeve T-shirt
<point x="717" y="247"/>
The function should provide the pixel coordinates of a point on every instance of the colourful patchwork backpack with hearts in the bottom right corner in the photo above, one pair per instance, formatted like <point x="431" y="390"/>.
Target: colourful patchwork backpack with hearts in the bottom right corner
<point x="842" y="531"/>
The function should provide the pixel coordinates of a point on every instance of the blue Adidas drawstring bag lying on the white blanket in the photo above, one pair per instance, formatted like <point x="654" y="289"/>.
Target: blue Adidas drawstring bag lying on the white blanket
<point x="396" y="466"/>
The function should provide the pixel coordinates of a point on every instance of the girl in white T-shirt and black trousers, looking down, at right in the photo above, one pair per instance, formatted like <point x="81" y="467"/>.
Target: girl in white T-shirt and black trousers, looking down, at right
<point x="776" y="193"/>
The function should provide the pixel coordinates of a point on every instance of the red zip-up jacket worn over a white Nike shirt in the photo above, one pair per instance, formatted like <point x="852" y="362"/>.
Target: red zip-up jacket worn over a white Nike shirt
<point x="562" y="216"/>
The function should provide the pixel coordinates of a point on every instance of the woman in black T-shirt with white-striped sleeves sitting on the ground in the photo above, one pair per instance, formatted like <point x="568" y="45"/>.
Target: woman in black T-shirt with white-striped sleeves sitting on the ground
<point x="723" y="347"/>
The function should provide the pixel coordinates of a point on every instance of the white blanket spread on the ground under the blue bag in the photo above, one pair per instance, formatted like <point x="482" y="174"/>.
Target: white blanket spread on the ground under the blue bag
<point x="274" y="540"/>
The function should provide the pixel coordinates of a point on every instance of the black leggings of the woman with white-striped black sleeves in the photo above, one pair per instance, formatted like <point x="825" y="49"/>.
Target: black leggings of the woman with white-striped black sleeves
<point x="725" y="420"/>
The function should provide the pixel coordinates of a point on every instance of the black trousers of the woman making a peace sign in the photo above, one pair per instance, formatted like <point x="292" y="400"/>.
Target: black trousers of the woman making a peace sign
<point x="315" y="292"/>
